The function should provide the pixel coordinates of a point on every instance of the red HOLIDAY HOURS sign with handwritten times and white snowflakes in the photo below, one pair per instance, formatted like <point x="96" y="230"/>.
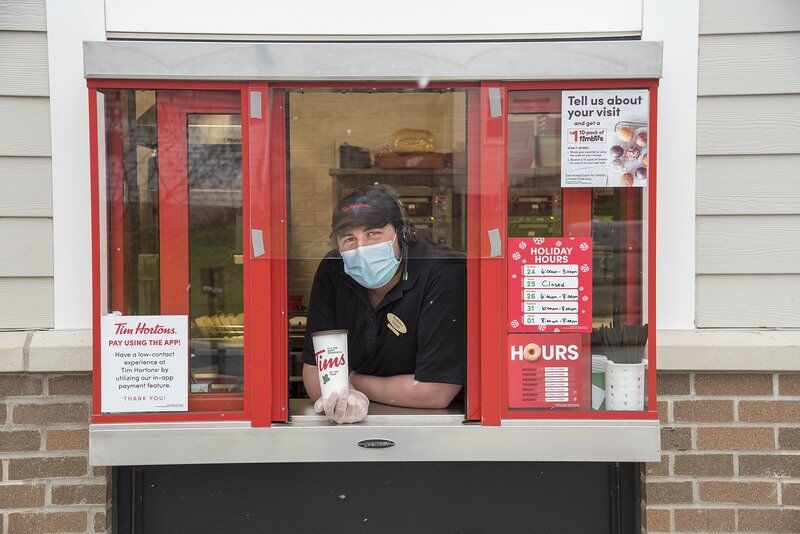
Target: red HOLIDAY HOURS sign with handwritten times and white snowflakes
<point x="550" y="284"/>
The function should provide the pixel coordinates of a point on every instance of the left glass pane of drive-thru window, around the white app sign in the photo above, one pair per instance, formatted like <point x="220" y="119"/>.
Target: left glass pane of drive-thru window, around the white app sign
<point x="171" y="165"/>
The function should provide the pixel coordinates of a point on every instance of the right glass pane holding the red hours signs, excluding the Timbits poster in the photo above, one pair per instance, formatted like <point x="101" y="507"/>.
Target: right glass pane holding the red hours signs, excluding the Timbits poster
<point x="617" y="218"/>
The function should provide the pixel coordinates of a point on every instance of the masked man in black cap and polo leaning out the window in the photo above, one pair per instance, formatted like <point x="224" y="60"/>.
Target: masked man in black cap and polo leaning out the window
<point x="402" y="302"/>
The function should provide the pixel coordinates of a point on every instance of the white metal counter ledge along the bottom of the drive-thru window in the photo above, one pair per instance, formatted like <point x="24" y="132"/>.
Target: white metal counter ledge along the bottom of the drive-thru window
<point x="418" y="435"/>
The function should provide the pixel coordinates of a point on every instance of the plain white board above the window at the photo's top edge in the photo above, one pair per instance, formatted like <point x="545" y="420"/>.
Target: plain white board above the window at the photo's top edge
<point x="413" y="19"/>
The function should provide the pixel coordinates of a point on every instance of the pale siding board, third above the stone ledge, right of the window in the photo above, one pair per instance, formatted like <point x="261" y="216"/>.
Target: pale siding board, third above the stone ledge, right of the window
<point x="748" y="185"/>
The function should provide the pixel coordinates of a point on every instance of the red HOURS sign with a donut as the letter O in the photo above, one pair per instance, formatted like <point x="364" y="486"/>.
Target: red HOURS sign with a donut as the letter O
<point x="544" y="371"/>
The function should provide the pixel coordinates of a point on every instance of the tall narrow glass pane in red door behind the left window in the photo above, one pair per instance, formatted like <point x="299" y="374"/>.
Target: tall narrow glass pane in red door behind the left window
<point x="216" y="298"/>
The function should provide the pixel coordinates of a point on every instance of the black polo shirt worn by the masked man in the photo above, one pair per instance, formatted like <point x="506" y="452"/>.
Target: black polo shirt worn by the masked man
<point x="430" y="299"/>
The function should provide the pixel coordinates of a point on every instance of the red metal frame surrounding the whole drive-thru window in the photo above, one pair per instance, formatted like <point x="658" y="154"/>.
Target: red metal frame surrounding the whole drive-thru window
<point x="264" y="207"/>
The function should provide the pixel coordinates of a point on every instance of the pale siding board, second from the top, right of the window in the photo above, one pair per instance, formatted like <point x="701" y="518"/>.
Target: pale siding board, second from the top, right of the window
<point x="749" y="64"/>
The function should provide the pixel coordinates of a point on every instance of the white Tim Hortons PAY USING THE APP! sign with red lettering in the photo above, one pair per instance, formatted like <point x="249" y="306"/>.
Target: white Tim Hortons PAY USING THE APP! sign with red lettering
<point x="144" y="363"/>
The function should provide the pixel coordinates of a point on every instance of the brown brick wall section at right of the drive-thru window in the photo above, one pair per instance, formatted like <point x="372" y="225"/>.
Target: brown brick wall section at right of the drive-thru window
<point x="730" y="454"/>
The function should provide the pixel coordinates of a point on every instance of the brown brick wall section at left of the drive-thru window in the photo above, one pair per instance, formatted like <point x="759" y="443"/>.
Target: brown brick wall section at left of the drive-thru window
<point x="47" y="484"/>
